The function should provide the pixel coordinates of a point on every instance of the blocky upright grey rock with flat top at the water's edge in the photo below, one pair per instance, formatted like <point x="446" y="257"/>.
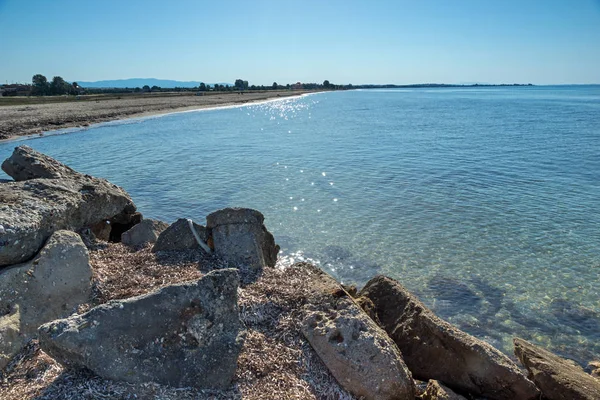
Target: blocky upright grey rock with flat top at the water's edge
<point x="241" y="239"/>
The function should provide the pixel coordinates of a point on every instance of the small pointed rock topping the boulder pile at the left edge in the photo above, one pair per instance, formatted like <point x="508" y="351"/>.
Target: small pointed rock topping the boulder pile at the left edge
<point x="26" y="163"/>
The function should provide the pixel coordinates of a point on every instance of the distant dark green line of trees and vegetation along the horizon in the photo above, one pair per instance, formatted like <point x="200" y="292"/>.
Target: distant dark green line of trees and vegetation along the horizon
<point x="58" y="86"/>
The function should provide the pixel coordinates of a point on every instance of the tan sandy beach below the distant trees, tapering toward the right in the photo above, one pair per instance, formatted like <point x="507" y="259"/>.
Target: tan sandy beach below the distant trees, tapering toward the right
<point x="27" y="116"/>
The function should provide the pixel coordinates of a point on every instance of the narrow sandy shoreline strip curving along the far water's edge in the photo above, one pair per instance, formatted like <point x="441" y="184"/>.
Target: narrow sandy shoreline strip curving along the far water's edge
<point x="22" y="122"/>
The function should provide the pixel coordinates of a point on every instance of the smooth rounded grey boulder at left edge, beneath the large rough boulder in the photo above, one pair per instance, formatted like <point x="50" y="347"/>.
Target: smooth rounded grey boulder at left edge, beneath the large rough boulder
<point x="50" y="286"/>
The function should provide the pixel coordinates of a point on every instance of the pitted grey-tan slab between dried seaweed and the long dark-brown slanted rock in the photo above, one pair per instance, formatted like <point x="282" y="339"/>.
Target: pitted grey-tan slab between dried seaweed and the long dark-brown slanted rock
<point x="362" y="358"/>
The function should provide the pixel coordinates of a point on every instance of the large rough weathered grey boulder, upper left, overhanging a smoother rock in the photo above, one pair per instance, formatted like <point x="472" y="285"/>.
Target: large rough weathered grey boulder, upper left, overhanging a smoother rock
<point x="31" y="210"/>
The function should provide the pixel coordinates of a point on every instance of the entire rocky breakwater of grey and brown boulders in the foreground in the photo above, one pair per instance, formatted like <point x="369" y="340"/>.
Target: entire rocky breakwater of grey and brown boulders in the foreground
<point x="378" y="344"/>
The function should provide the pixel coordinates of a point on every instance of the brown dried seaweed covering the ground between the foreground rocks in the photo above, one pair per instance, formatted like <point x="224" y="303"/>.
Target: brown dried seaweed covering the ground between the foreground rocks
<point x="276" y="362"/>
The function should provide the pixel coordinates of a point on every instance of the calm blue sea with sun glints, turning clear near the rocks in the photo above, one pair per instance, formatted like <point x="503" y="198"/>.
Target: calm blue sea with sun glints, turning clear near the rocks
<point x="483" y="201"/>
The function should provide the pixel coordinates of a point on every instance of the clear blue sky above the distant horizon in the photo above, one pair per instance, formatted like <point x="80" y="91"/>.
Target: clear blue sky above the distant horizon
<point x="344" y="41"/>
